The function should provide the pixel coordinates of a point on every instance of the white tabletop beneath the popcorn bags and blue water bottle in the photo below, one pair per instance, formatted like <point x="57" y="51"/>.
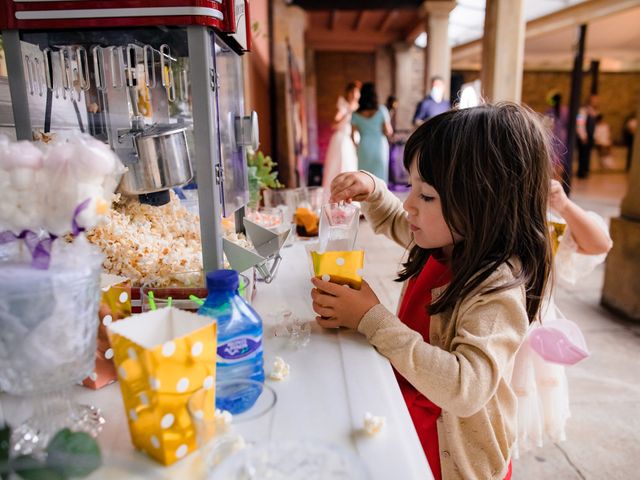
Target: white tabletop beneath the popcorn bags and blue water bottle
<point x="334" y="380"/>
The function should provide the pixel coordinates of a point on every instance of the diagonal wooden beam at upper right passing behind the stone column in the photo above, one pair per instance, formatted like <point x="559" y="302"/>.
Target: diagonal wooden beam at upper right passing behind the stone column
<point x="565" y="18"/>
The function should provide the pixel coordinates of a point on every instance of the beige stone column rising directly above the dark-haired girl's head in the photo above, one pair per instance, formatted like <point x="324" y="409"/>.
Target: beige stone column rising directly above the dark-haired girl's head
<point x="503" y="50"/>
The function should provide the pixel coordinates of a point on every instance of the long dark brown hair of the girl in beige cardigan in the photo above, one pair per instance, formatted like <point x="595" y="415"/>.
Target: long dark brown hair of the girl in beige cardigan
<point x="491" y="168"/>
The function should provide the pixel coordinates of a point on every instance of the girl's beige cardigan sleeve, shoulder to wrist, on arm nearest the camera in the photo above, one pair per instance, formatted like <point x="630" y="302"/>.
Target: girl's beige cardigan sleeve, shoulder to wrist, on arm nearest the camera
<point x="489" y="331"/>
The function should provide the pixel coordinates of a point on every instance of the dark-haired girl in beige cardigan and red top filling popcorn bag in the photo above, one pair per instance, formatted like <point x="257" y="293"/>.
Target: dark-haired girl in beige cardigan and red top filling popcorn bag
<point x="475" y="223"/>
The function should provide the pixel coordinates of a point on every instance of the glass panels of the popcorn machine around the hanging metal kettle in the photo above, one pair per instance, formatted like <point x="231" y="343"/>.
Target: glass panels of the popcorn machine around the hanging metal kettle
<point x="123" y="86"/>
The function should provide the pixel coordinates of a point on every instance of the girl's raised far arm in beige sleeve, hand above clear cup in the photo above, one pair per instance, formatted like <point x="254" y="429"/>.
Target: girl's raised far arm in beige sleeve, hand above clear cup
<point x="382" y="209"/>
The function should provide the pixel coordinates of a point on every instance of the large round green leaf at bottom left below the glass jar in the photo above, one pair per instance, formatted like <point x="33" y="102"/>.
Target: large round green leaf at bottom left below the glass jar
<point x="73" y="454"/>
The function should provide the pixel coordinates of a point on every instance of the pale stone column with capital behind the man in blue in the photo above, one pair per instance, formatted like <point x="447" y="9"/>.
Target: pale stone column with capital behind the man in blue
<point x="438" y="48"/>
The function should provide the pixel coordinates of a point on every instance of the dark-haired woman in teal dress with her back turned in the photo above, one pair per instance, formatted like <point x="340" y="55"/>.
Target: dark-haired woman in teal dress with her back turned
<point x="373" y="123"/>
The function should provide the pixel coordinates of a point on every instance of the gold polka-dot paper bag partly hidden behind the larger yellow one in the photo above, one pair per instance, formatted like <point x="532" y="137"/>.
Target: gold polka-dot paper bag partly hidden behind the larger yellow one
<point x="115" y="304"/>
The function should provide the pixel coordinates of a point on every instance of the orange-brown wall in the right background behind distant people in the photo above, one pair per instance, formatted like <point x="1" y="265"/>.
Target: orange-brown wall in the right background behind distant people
<point x="619" y="93"/>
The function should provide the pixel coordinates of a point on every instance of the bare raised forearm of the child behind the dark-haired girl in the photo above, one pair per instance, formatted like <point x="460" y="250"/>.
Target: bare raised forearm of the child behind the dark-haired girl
<point x="588" y="235"/>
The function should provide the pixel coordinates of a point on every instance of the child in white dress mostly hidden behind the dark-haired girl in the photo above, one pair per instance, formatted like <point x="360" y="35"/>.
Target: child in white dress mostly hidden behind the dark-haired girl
<point x="582" y="242"/>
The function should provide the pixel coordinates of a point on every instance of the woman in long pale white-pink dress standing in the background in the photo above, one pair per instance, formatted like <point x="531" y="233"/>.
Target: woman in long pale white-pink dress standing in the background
<point x="341" y="154"/>
